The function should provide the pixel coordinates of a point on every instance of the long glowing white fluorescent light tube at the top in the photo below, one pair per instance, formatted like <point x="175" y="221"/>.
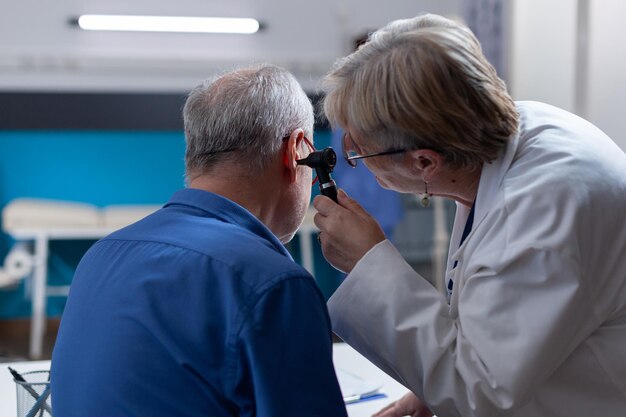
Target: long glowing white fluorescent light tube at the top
<point x="168" y="24"/>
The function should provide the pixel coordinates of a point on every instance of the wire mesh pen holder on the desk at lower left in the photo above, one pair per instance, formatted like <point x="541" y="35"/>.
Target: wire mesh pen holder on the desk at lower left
<point x="33" y="395"/>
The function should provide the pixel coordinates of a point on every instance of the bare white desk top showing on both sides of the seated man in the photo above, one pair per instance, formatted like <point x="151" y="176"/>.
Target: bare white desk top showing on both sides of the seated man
<point x="345" y="358"/>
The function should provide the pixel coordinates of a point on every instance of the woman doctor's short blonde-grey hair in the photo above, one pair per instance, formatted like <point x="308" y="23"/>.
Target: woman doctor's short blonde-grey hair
<point x="423" y="83"/>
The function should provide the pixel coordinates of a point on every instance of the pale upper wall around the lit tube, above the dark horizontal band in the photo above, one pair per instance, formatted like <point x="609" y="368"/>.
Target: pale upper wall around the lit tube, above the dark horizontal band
<point x="40" y="50"/>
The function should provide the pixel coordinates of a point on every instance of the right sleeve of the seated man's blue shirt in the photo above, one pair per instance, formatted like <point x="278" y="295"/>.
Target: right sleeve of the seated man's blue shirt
<point x="285" y="351"/>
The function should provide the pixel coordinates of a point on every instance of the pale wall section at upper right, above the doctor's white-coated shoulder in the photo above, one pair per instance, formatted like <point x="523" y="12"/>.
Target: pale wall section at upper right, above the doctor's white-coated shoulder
<point x="572" y="58"/>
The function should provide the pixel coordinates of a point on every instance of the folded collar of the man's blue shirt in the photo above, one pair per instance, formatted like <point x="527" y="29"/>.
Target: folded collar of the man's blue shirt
<point x="221" y="208"/>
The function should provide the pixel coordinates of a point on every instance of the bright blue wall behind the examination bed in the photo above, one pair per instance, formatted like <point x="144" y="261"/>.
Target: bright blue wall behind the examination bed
<point x="97" y="167"/>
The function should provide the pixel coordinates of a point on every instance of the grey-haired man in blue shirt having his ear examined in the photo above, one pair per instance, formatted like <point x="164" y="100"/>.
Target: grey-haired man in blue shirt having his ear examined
<point x="198" y="309"/>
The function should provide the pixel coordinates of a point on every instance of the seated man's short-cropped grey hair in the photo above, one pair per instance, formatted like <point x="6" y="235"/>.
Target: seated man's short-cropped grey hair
<point x="243" y="115"/>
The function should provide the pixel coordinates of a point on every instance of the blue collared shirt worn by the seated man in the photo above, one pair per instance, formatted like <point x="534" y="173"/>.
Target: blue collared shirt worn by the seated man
<point x="196" y="310"/>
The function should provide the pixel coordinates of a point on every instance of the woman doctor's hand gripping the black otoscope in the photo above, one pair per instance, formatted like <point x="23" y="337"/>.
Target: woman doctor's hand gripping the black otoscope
<point x="347" y="231"/>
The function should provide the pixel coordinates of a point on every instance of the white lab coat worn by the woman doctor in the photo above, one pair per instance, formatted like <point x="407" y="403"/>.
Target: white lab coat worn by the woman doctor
<point x="536" y="324"/>
